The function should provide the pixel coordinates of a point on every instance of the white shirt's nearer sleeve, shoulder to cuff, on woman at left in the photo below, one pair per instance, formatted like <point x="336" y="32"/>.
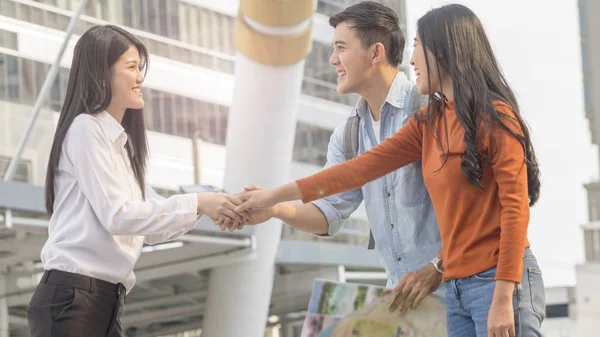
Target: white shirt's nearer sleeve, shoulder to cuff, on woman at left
<point x="90" y="153"/>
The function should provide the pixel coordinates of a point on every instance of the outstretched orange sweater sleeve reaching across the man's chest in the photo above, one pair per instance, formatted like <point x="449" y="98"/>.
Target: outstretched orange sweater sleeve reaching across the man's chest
<point x="403" y="148"/>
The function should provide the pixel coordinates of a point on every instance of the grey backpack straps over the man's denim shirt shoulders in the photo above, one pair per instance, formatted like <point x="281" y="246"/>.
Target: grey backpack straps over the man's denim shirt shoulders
<point x="350" y="140"/>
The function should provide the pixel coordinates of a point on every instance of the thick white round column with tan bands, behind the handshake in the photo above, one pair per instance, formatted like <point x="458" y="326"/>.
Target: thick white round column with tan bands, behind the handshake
<point x="273" y="39"/>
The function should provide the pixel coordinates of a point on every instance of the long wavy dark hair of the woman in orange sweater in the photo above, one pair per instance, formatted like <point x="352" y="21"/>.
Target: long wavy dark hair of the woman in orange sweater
<point x="456" y="38"/>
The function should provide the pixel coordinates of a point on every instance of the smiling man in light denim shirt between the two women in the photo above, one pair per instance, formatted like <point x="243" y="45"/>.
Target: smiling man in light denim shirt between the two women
<point x="368" y="45"/>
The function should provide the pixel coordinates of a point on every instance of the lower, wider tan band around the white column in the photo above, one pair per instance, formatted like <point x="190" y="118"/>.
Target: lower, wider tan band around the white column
<point x="279" y="50"/>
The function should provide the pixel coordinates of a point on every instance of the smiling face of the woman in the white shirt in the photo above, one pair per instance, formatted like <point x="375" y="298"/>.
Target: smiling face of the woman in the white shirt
<point x="126" y="81"/>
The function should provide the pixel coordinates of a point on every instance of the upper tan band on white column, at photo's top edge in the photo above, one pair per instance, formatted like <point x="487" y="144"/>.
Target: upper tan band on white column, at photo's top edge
<point x="278" y="13"/>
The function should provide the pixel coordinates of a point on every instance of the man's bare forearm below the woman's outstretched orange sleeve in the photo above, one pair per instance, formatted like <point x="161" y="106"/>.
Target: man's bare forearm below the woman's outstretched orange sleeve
<point x="305" y="217"/>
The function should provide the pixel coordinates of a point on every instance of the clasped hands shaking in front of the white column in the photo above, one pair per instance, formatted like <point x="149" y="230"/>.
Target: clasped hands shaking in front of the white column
<point x="234" y="211"/>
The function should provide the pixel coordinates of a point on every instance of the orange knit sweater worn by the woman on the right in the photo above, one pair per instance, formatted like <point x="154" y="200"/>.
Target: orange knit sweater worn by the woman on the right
<point x="480" y="228"/>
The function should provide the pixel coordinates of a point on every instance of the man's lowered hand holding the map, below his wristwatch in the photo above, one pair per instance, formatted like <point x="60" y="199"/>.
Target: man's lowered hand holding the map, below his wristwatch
<point x="414" y="287"/>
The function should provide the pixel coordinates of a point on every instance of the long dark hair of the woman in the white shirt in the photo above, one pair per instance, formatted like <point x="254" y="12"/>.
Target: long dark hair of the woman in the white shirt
<point x="89" y="91"/>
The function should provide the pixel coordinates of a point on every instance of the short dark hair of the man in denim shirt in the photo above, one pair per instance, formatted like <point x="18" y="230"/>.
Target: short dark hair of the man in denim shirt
<point x="374" y="22"/>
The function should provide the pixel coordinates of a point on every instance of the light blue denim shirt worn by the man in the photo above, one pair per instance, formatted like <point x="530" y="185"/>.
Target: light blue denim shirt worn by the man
<point x="398" y="205"/>
